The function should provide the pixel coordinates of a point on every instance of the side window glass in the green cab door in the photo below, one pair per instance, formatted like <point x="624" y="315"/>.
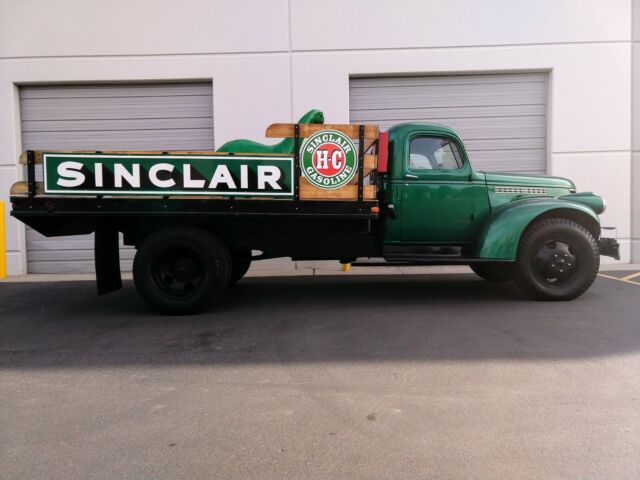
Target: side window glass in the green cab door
<point x="434" y="153"/>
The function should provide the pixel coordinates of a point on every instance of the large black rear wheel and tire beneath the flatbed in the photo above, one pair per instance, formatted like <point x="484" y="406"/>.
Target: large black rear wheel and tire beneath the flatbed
<point x="181" y="270"/>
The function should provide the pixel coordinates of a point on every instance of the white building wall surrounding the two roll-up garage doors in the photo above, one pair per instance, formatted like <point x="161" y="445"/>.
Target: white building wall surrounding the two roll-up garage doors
<point x="273" y="60"/>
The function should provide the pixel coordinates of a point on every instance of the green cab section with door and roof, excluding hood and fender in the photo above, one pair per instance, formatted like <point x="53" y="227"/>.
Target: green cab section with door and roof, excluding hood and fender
<point x="438" y="198"/>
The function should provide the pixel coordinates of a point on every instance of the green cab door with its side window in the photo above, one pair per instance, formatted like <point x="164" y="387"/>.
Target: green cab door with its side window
<point x="443" y="200"/>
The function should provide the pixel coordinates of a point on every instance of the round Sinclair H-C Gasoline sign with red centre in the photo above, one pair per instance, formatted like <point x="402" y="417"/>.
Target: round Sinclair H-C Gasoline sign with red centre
<point x="329" y="159"/>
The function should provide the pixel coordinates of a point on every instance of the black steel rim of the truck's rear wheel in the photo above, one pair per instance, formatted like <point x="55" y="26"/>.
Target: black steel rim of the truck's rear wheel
<point x="178" y="271"/>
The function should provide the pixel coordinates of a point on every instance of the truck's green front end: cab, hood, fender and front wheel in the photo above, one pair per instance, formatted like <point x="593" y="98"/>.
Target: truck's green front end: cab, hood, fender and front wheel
<point x="533" y="229"/>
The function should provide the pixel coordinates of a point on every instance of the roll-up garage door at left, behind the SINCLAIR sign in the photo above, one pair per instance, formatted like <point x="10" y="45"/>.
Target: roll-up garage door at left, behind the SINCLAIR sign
<point x="138" y="116"/>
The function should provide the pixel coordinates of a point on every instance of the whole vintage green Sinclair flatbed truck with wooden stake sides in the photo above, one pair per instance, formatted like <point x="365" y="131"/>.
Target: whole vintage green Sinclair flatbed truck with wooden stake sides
<point x="326" y="192"/>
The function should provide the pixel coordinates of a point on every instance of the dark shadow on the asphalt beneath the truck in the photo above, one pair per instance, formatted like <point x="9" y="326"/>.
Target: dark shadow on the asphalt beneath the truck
<point x="315" y="319"/>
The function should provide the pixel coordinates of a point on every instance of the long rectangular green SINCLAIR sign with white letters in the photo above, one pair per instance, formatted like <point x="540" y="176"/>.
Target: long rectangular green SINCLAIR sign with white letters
<point x="123" y="174"/>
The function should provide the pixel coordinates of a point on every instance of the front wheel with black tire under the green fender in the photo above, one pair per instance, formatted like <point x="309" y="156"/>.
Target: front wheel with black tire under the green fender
<point x="558" y="259"/>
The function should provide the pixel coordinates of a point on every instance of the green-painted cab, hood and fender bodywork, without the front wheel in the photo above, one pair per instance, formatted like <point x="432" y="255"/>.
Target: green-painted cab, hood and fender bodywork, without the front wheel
<point x="485" y="213"/>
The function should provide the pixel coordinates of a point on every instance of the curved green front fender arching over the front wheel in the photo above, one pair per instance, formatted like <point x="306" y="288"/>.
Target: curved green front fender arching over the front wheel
<point x="500" y="235"/>
